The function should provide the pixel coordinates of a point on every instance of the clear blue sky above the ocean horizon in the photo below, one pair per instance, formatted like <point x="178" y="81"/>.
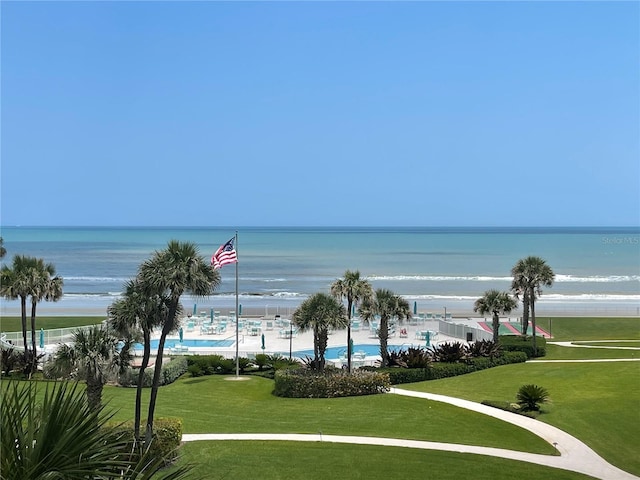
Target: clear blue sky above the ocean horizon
<point x="322" y="113"/>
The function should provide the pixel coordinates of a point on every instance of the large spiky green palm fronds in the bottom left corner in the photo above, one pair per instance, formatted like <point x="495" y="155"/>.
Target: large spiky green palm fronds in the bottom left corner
<point x="60" y="436"/>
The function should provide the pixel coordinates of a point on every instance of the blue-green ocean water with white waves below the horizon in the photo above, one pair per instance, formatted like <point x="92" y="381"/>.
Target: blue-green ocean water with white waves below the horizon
<point x="597" y="269"/>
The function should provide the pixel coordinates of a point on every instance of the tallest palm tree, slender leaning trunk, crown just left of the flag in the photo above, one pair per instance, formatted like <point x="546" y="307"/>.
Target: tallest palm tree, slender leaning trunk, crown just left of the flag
<point x="170" y="273"/>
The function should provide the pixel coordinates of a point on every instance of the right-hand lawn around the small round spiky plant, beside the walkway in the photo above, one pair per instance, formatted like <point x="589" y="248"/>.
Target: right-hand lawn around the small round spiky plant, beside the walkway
<point x="596" y="402"/>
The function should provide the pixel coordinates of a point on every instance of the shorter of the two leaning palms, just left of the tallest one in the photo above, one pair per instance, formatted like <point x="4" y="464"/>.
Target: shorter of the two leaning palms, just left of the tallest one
<point x="135" y="315"/>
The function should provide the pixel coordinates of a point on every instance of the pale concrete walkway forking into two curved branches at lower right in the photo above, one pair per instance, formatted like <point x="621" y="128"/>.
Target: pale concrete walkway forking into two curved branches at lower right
<point x="574" y="454"/>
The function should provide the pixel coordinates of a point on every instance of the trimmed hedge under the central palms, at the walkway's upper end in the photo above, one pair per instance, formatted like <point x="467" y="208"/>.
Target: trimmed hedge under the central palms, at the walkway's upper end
<point x="303" y="383"/>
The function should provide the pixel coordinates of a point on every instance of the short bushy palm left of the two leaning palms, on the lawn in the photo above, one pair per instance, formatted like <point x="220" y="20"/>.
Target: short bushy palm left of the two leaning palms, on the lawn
<point x="94" y="353"/>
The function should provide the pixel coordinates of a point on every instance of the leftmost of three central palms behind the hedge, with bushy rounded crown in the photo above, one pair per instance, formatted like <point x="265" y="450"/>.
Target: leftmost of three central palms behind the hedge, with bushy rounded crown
<point x="319" y="313"/>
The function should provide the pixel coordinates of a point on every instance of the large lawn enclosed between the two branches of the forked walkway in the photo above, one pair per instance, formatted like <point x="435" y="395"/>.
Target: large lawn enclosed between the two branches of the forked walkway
<point x="217" y="405"/>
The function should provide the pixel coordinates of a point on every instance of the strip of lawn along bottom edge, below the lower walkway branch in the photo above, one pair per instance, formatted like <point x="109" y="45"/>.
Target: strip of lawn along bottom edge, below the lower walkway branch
<point x="274" y="460"/>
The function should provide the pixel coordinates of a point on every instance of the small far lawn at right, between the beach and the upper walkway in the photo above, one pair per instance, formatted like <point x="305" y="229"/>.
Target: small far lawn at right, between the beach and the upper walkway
<point x="588" y="328"/>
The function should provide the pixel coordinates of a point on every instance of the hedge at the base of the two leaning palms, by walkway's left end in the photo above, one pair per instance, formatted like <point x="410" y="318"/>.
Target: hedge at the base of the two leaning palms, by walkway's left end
<point x="167" y="435"/>
